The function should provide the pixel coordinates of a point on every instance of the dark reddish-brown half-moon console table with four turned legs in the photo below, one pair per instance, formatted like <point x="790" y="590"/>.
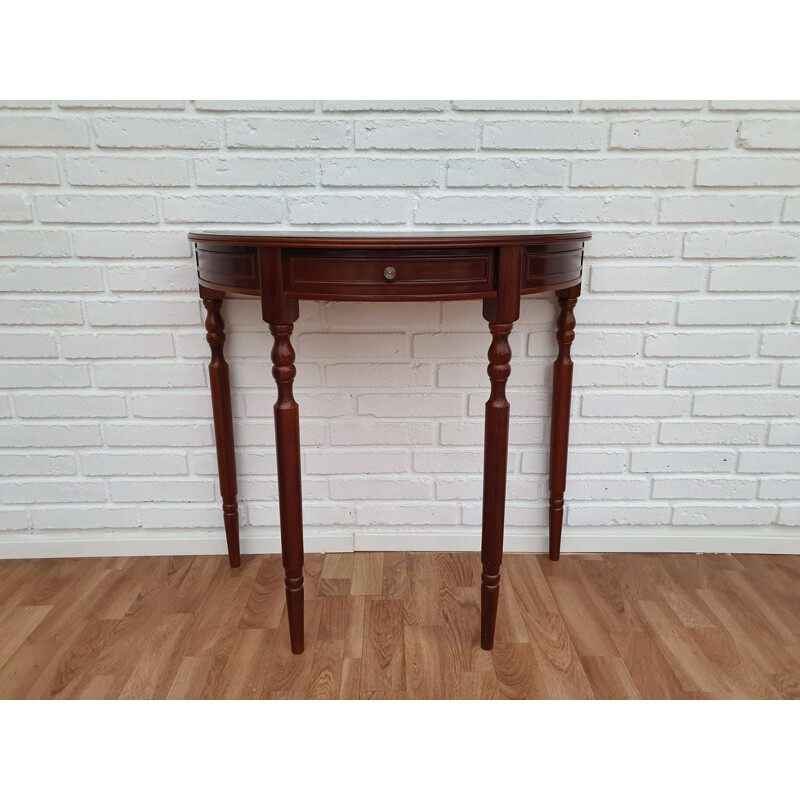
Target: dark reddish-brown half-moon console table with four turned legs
<point x="497" y="267"/>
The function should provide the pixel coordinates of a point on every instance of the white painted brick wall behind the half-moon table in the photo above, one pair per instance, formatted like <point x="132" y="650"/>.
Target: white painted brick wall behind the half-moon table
<point x="687" y="377"/>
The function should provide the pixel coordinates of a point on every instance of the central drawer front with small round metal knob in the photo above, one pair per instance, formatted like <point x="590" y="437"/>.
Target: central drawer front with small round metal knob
<point x="390" y="274"/>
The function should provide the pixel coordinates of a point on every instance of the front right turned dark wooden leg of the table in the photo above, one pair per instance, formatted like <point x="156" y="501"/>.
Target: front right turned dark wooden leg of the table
<point x="494" y="478"/>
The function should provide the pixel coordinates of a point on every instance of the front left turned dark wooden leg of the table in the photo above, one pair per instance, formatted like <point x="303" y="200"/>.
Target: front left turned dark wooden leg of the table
<point x="287" y="440"/>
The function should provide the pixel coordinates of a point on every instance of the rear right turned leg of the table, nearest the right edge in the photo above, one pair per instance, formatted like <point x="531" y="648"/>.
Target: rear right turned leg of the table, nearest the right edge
<point x="559" y="426"/>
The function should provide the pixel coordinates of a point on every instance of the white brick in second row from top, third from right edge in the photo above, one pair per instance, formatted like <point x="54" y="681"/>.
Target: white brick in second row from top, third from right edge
<point x="543" y="135"/>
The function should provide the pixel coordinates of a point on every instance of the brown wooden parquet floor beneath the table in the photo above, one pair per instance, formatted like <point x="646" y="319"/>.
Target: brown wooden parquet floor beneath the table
<point x="402" y="625"/>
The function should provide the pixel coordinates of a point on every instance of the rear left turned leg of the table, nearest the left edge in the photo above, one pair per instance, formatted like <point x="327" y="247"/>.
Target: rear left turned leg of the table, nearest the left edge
<point x="223" y="420"/>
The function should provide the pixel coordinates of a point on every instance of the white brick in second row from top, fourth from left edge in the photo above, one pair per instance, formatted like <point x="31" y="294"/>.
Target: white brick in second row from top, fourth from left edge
<point x="433" y="134"/>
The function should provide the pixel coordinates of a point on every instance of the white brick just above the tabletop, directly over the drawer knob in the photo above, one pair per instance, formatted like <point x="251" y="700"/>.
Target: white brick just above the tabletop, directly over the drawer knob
<point x="353" y="209"/>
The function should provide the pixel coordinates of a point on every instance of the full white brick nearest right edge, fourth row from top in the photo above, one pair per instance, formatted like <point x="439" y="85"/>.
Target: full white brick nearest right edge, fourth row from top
<point x="692" y="208"/>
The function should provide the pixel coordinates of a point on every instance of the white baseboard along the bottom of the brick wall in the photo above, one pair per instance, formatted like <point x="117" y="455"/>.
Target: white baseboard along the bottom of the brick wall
<point x="665" y="539"/>
